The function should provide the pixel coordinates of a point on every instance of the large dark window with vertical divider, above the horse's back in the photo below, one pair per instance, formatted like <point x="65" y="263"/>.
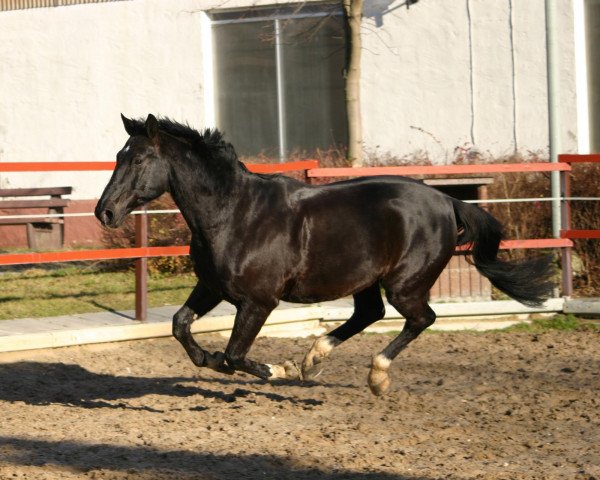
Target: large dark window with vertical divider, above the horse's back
<point x="279" y="79"/>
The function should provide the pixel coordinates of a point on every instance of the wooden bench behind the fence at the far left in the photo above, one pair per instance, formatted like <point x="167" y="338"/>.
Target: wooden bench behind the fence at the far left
<point x="43" y="232"/>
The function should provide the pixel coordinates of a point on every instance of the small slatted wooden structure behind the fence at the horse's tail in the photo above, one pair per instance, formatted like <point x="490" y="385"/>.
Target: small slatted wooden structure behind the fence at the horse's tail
<point x="460" y="279"/>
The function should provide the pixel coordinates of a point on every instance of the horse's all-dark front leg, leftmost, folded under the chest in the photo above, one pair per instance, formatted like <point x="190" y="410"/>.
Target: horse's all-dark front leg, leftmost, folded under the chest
<point x="201" y="301"/>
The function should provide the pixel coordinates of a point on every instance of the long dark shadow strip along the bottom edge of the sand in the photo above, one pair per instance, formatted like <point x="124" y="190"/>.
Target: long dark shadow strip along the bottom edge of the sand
<point x="145" y="462"/>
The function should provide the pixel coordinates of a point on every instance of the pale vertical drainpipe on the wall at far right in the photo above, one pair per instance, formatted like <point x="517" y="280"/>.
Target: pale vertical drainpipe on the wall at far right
<point x="552" y="62"/>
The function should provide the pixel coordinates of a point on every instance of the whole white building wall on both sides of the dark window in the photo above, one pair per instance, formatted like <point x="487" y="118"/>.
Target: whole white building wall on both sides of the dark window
<point x="440" y="75"/>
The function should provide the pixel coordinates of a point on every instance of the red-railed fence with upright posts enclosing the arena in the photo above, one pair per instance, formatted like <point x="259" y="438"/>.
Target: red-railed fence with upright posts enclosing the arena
<point x="141" y="252"/>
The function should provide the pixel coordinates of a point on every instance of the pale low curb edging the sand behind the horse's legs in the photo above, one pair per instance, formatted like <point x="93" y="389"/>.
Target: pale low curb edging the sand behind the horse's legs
<point x="286" y="321"/>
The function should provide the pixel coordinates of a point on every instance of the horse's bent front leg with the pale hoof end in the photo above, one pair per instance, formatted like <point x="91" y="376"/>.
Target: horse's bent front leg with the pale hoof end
<point x="249" y="319"/>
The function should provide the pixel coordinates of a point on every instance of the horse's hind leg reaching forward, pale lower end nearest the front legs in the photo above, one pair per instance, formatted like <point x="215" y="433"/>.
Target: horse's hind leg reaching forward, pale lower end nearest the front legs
<point x="368" y="308"/>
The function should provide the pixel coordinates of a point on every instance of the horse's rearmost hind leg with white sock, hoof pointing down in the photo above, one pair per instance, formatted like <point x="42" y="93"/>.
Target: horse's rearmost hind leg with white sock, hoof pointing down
<point x="418" y="317"/>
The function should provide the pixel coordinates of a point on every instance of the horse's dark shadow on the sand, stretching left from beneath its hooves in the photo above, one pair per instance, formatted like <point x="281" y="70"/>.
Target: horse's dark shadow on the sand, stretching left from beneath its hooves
<point x="38" y="383"/>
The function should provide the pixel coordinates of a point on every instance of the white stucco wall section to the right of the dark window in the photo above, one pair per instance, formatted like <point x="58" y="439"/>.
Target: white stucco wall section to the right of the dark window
<point x="464" y="74"/>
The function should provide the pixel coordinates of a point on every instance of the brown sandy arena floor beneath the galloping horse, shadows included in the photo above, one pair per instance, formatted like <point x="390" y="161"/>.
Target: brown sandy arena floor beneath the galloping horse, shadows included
<point x="463" y="405"/>
